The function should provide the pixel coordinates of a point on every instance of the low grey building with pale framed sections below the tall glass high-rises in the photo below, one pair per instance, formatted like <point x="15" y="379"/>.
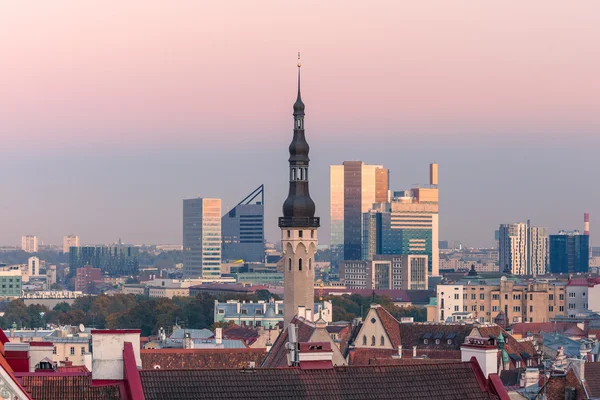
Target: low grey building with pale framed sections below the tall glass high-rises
<point x="407" y="272"/>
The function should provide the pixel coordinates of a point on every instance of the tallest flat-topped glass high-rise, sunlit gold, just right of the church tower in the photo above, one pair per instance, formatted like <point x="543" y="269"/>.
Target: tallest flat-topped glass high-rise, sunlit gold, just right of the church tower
<point x="354" y="188"/>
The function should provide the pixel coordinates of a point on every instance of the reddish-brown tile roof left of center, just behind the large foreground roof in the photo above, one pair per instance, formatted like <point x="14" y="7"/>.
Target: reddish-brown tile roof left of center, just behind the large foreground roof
<point x="201" y="358"/>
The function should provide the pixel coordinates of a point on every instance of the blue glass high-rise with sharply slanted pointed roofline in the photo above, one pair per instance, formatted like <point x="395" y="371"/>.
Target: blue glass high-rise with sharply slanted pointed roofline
<point x="243" y="229"/>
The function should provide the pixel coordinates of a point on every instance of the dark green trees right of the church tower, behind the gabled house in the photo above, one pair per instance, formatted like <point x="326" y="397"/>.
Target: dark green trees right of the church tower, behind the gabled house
<point x="346" y="308"/>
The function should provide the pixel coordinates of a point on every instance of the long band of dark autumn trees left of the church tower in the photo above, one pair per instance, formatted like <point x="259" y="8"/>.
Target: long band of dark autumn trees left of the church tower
<point x="122" y="311"/>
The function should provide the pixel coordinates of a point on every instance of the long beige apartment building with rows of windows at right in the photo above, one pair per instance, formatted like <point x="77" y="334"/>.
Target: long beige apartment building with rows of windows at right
<point x="519" y="301"/>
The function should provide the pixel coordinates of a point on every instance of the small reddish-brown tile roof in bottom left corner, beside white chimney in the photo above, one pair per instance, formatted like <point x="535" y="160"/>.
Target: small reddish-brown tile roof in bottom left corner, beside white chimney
<point x="74" y="387"/>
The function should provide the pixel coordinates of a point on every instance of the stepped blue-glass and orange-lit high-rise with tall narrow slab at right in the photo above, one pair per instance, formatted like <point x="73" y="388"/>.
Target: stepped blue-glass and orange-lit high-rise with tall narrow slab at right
<point x="408" y="224"/>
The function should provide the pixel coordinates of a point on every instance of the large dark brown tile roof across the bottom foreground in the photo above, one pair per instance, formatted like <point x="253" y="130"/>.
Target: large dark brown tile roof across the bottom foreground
<point x="447" y="381"/>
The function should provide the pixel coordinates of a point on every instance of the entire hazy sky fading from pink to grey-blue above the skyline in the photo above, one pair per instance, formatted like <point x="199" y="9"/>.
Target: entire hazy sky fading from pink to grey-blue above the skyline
<point x="112" y="112"/>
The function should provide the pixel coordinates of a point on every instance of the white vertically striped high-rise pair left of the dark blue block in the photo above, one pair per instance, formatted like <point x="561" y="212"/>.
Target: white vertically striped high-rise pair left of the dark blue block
<point x="523" y="249"/>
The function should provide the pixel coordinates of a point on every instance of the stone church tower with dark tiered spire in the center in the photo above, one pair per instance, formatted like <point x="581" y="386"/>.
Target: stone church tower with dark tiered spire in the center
<point x="298" y="224"/>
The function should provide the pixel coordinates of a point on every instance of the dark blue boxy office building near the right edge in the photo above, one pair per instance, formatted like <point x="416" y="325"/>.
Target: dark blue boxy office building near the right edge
<point x="569" y="252"/>
